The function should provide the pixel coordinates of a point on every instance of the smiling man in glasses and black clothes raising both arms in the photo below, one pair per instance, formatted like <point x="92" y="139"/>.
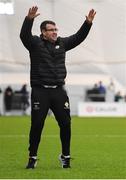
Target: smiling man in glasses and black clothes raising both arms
<point x="47" y="77"/>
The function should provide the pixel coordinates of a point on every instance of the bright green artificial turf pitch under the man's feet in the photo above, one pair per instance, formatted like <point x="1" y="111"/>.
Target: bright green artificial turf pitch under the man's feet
<point x="98" y="149"/>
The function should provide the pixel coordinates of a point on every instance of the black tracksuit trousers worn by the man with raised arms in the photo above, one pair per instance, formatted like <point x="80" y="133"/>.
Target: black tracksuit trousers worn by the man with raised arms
<point x="57" y="100"/>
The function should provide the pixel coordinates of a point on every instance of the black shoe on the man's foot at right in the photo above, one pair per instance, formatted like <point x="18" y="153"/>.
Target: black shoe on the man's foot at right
<point x="65" y="161"/>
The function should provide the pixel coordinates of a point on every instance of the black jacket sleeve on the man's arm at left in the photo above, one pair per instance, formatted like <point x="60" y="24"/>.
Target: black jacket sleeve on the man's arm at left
<point x="26" y="34"/>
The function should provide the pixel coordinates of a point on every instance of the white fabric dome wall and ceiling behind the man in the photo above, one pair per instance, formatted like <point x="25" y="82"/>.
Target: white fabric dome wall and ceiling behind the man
<point x="104" y="50"/>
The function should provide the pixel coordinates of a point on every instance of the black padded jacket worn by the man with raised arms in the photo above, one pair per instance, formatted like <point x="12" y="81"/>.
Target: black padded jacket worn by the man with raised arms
<point x="48" y="59"/>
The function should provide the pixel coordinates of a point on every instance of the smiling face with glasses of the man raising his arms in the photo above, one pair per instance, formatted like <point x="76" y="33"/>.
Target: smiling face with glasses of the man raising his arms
<point x="50" y="33"/>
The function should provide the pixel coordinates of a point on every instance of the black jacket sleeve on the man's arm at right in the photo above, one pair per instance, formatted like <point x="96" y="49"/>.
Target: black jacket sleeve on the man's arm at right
<point x="75" y="39"/>
